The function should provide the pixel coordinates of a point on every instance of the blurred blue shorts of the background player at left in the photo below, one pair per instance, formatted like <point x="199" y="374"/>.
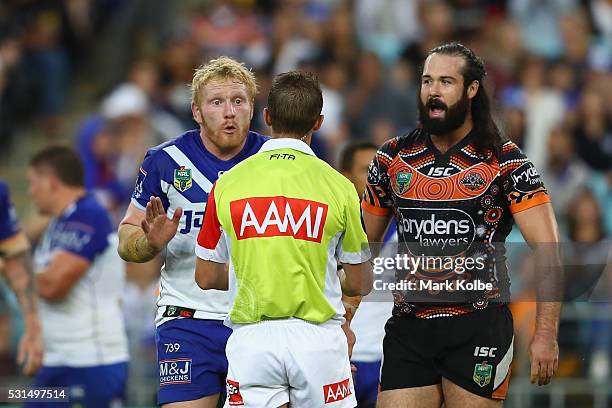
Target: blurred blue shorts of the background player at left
<point x="96" y="386"/>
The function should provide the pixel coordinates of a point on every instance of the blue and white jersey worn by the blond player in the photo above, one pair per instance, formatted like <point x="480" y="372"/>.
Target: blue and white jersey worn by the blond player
<point x="181" y="173"/>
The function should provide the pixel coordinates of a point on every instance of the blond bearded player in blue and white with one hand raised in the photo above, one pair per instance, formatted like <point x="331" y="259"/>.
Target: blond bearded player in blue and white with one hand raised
<point x="175" y="178"/>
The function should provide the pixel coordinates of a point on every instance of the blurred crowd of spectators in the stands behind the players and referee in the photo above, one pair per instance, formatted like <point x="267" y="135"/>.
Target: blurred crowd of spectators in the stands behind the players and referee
<point x="549" y="69"/>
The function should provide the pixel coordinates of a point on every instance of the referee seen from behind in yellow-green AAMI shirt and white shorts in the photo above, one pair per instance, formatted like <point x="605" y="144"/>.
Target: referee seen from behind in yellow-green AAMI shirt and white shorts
<point x="280" y="219"/>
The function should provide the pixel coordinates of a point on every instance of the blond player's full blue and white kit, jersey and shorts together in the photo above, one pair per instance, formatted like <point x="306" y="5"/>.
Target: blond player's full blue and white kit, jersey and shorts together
<point x="190" y="352"/>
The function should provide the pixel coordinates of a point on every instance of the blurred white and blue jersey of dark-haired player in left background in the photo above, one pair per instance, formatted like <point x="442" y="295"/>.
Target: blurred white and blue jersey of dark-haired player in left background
<point x="86" y="327"/>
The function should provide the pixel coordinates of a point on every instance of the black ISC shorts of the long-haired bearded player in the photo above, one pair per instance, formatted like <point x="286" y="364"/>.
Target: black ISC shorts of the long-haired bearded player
<point x="473" y="351"/>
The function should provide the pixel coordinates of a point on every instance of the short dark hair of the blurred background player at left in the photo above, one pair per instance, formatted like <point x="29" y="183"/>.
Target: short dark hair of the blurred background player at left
<point x="64" y="163"/>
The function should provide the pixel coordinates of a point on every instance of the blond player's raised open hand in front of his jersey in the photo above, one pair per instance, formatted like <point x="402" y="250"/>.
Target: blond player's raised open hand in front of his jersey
<point x="158" y="228"/>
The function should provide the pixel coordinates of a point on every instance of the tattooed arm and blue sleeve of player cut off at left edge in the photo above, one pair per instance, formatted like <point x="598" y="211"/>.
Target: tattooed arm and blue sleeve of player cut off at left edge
<point x="16" y="267"/>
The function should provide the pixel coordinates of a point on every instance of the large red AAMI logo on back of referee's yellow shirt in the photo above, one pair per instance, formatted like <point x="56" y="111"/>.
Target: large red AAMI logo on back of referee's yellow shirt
<point x="258" y="217"/>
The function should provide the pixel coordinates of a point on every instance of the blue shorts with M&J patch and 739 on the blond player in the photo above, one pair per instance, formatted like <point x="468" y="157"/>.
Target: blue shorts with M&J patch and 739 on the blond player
<point x="191" y="357"/>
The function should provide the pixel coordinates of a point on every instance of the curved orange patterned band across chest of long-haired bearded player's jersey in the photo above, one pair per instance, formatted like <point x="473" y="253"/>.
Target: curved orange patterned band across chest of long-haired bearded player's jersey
<point x="455" y="187"/>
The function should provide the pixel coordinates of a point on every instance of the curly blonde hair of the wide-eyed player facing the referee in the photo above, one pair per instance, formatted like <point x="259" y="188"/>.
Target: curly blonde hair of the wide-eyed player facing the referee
<point x="222" y="68"/>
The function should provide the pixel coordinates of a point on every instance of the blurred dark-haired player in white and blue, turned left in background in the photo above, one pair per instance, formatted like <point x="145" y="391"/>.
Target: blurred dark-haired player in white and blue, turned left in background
<point x="80" y="281"/>
